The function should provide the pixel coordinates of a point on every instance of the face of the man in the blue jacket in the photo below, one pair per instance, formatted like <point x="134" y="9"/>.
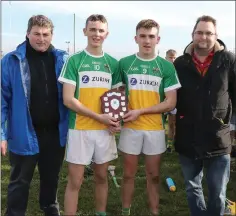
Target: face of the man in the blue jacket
<point x="40" y="38"/>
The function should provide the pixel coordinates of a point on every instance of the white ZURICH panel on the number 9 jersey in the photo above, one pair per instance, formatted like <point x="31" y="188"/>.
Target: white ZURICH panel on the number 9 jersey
<point x="144" y="82"/>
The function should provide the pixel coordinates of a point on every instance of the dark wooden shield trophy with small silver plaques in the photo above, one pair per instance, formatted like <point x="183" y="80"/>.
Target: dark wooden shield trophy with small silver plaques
<point x="114" y="103"/>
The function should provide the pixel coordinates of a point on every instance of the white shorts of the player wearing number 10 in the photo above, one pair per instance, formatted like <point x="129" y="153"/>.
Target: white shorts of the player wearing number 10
<point x="85" y="146"/>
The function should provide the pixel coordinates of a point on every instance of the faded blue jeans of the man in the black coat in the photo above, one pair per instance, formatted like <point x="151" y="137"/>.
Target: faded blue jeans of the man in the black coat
<point x="217" y="177"/>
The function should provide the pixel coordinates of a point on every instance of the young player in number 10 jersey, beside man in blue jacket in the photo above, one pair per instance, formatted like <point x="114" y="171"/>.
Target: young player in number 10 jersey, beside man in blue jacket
<point x="87" y="75"/>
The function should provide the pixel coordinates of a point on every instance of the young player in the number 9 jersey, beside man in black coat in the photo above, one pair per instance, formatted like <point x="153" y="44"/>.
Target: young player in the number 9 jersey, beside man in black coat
<point x="148" y="79"/>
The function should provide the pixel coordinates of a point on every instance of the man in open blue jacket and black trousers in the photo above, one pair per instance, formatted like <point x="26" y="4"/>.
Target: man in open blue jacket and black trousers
<point x="34" y="120"/>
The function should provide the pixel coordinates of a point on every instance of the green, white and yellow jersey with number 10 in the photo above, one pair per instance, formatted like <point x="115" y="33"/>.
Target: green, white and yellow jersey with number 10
<point x="92" y="76"/>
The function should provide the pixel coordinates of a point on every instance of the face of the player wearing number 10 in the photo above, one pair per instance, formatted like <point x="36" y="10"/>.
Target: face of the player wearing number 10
<point x="96" y="32"/>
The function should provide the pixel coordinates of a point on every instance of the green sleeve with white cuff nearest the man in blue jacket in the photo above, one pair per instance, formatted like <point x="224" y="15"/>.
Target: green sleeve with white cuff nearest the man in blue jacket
<point x="69" y="73"/>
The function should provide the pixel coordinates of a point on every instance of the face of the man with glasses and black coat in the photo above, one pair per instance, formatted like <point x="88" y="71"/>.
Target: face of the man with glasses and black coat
<point x="204" y="37"/>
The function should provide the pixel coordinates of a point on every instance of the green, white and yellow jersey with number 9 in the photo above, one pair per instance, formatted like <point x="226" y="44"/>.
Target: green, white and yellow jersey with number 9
<point x="146" y="83"/>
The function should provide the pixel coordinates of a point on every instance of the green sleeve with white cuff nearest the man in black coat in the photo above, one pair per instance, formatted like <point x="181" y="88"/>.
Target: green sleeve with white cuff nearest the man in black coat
<point x="170" y="80"/>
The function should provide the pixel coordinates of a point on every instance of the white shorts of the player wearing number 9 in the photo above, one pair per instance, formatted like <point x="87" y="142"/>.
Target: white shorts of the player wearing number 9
<point x="137" y="141"/>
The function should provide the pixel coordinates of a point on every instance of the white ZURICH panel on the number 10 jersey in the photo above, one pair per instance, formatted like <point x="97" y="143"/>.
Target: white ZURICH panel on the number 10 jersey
<point x="95" y="79"/>
